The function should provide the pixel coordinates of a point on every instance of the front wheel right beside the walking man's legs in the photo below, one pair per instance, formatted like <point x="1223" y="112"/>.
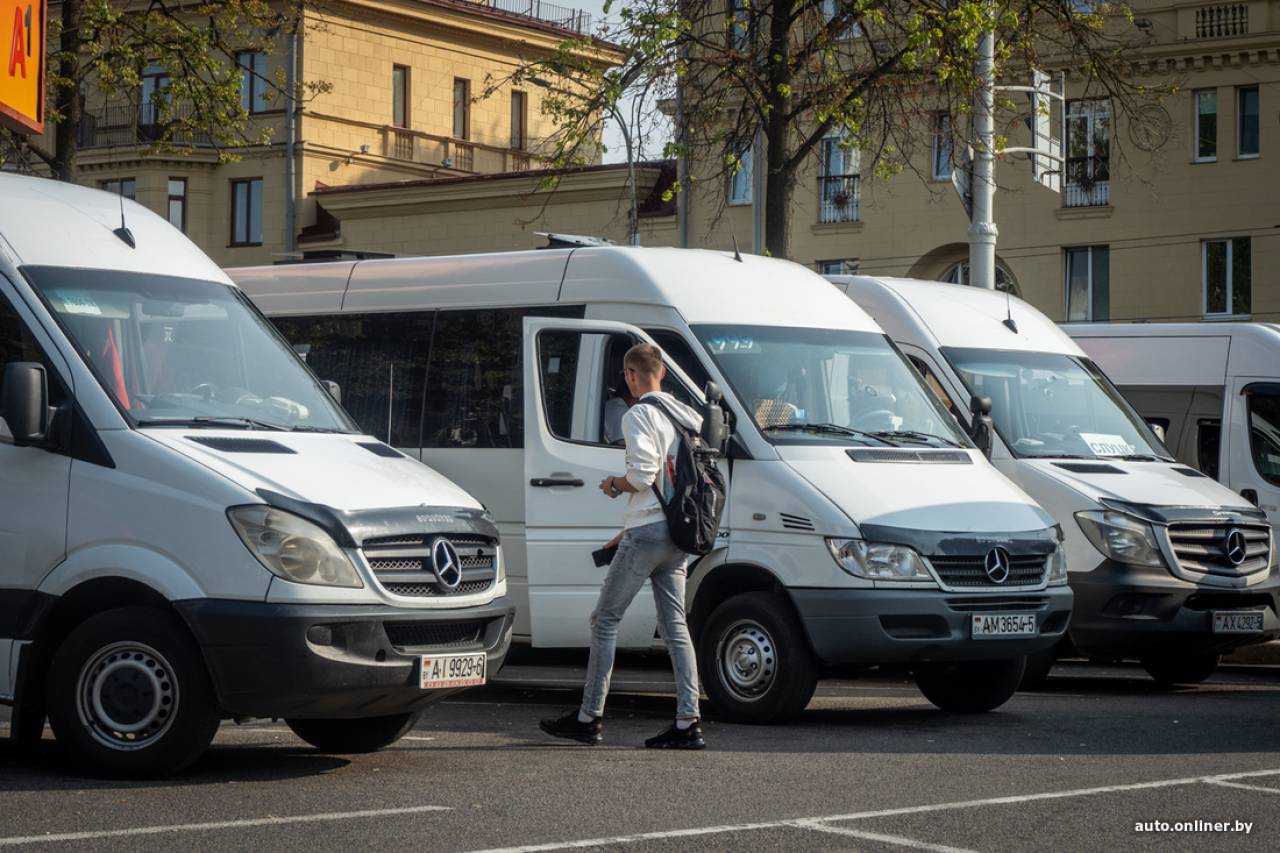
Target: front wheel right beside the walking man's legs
<point x="756" y="662"/>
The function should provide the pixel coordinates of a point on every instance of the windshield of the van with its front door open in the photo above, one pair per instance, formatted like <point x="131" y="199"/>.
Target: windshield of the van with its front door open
<point x="829" y="385"/>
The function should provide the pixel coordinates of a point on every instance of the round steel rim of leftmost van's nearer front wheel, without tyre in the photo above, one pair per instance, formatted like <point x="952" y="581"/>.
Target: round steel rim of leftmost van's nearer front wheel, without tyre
<point x="126" y="696"/>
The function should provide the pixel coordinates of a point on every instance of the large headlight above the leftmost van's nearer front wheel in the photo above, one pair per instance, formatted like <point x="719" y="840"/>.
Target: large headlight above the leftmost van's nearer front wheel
<point x="294" y="549"/>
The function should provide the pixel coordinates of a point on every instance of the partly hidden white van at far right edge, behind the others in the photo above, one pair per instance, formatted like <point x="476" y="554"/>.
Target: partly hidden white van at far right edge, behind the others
<point x="1213" y="390"/>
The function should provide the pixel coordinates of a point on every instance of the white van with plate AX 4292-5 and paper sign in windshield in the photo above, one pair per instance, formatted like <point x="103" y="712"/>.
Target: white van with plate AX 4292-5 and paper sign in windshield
<point x="1168" y="567"/>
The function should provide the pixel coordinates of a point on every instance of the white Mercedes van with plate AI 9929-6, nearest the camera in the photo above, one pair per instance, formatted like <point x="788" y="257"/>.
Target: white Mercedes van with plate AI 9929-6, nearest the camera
<point x="193" y="530"/>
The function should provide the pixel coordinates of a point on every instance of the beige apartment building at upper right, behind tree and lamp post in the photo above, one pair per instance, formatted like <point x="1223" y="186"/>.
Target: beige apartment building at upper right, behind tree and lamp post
<point x="1176" y="220"/>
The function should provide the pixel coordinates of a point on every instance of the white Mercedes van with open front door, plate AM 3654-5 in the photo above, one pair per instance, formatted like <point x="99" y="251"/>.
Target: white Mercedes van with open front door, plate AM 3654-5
<point x="862" y="526"/>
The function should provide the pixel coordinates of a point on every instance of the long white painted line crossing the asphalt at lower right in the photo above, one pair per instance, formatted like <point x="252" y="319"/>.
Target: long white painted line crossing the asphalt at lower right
<point x="813" y="823"/>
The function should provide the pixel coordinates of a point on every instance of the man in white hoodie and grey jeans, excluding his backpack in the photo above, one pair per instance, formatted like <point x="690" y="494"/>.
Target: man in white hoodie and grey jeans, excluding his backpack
<point x="646" y="553"/>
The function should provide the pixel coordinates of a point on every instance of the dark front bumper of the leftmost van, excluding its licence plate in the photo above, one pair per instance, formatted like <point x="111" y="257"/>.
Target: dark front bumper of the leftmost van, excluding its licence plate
<point x="336" y="662"/>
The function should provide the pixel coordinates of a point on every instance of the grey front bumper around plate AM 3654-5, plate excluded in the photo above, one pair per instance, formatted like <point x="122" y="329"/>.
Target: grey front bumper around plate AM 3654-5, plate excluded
<point x="871" y="627"/>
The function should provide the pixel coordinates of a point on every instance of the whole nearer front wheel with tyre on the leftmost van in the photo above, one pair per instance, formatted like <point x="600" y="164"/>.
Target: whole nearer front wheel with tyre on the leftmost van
<point x="130" y="697"/>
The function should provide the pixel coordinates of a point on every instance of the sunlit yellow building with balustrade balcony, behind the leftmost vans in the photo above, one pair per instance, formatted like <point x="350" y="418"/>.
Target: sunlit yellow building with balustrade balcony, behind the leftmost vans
<point x="406" y="101"/>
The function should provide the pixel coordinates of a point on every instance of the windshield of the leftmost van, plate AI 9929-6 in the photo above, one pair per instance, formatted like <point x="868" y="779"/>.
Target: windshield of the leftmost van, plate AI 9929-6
<point x="184" y="353"/>
